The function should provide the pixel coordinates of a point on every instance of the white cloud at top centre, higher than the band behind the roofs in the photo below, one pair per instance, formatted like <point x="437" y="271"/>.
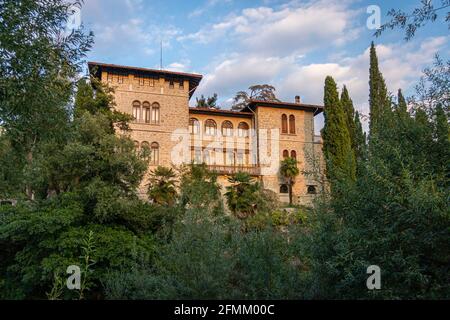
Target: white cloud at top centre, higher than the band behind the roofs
<point x="300" y="28"/>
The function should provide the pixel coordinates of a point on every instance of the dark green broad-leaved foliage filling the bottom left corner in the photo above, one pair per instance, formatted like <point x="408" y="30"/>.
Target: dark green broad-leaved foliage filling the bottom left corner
<point x="48" y="237"/>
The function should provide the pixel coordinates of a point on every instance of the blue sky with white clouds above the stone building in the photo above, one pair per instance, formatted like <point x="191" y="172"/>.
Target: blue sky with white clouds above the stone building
<point x="292" y="45"/>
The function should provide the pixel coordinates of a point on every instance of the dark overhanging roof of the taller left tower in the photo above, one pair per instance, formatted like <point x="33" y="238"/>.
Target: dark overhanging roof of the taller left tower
<point x="193" y="78"/>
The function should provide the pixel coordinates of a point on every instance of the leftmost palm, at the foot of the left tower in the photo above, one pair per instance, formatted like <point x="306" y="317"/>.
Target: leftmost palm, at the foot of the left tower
<point x="162" y="186"/>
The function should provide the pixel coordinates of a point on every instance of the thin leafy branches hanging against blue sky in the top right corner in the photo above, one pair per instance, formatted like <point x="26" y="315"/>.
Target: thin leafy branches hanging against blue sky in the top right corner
<point x="416" y="19"/>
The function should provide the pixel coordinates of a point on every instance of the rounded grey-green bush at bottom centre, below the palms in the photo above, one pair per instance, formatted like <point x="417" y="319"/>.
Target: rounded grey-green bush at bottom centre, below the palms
<point x="210" y="258"/>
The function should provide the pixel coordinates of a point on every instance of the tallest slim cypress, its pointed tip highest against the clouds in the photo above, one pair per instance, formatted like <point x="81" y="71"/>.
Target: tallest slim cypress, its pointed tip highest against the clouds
<point x="378" y="97"/>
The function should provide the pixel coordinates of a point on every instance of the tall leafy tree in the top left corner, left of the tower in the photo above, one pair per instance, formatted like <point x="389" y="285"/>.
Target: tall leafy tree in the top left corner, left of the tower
<point x="37" y="67"/>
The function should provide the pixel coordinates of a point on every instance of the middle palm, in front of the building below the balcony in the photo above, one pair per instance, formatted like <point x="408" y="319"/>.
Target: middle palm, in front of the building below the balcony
<point x="242" y="195"/>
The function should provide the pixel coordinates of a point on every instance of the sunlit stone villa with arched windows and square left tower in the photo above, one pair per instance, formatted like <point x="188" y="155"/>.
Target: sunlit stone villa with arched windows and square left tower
<point x="254" y="139"/>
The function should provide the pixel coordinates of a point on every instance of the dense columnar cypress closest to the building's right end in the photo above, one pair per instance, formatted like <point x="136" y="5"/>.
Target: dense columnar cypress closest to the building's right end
<point x="340" y="159"/>
